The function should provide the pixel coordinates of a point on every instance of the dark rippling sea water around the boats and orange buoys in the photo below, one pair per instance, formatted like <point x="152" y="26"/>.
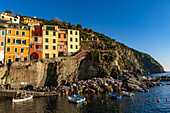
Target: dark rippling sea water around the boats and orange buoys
<point x="109" y="105"/>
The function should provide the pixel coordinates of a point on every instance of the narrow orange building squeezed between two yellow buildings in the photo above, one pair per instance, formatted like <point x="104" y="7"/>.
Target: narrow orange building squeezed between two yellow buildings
<point x="62" y="42"/>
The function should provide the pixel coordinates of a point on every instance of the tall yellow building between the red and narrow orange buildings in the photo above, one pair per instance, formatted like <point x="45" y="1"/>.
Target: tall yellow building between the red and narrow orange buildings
<point x="50" y="40"/>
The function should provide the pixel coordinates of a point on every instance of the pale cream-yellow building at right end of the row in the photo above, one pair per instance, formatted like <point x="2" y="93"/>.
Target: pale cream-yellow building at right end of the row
<point x="73" y="41"/>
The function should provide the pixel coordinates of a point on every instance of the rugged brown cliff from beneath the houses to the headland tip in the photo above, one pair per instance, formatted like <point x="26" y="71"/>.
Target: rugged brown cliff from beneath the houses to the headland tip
<point x="85" y="65"/>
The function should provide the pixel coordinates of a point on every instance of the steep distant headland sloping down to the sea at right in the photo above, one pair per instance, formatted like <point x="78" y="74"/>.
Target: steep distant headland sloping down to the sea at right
<point x="137" y="62"/>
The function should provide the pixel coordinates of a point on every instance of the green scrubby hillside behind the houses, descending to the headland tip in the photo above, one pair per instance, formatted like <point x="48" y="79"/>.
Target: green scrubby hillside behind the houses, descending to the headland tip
<point x="130" y="59"/>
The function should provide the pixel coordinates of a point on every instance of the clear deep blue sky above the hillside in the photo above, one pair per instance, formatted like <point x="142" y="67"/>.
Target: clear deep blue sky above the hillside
<point x="140" y="24"/>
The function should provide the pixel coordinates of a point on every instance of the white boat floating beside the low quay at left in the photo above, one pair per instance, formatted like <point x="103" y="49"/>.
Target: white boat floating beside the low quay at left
<point x="22" y="98"/>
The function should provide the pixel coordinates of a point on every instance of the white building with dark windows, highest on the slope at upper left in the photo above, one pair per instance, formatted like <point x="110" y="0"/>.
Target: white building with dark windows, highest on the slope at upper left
<point x="11" y="17"/>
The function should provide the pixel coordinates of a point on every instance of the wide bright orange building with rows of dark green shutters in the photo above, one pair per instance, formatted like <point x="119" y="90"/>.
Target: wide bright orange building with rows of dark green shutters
<point x="17" y="43"/>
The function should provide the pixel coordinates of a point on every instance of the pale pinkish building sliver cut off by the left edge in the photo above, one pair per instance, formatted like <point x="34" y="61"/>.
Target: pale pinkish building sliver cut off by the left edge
<point x="2" y="44"/>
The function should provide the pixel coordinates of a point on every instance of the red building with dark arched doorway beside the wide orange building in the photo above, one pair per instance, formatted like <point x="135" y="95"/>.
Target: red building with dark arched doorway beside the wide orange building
<point x="36" y="43"/>
